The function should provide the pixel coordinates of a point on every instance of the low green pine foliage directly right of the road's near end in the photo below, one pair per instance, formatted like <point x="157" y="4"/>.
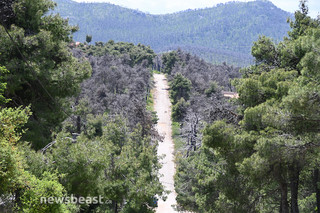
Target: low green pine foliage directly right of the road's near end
<point x="195" y="176"/>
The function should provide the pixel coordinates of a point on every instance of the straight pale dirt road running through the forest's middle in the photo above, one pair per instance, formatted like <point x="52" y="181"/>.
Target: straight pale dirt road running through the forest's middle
<point x="162" y="106"/>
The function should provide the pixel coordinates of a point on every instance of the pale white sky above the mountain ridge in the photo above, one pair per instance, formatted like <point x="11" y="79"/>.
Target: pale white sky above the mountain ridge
<point x="170" y="6"/>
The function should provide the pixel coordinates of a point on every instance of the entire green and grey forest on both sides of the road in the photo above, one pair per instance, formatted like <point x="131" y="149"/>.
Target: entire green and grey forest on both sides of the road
<point x="77" y="120"/>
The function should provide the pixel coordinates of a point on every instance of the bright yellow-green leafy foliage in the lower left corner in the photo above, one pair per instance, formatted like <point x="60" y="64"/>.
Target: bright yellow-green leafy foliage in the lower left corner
<point x="13" y="175"/>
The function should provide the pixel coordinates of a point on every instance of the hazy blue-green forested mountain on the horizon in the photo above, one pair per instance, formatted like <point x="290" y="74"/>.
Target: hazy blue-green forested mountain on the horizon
<point x="218" y="34"/>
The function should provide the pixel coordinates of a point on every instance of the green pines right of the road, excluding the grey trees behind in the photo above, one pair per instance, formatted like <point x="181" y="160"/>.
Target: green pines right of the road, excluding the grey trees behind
<point x="269" y="162"/>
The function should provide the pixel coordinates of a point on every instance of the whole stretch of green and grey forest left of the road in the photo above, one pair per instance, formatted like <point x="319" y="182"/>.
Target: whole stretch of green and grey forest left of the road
<point x="71" y="123"/>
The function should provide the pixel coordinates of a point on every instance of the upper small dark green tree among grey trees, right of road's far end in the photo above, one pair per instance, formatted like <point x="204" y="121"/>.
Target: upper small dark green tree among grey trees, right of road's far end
<point x="180" y="87"/>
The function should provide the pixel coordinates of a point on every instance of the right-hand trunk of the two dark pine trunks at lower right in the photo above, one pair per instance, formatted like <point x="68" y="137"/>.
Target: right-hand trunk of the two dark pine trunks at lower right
<point x="294" y="172"/>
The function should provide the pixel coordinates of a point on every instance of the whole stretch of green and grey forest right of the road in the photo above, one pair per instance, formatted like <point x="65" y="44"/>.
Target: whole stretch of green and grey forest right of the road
<point x="261" y="153"/>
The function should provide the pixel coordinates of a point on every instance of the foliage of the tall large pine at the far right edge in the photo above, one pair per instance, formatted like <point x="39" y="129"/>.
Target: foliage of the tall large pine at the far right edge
<point x="278" y="110"/>
